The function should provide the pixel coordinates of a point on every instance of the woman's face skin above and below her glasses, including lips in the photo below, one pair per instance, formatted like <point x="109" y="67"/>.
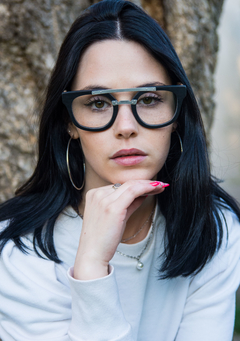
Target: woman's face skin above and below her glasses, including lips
<point x="116" y="64"/>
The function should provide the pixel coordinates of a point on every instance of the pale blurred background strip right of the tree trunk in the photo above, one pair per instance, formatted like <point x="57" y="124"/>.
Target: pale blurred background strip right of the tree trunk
<point x="225" y="135"/>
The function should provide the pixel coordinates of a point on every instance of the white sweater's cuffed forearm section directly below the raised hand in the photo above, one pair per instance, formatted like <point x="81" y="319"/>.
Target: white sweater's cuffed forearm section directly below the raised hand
<point x="97" y="312"/>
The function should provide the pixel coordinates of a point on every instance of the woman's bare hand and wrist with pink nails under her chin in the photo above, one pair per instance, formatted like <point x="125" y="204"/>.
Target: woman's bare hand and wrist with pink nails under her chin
<point x="106" y="213"/>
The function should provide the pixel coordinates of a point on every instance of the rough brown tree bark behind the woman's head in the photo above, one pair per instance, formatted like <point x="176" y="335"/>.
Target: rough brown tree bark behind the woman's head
<point x="30" y="36"/>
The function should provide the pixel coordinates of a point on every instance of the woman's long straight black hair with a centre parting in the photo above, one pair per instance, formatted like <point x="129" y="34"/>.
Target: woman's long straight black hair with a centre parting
<point x="193" y="202"/>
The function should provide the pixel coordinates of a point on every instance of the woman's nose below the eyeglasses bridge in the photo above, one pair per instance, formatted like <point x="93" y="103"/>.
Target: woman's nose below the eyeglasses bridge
<point x="125" y="125"/>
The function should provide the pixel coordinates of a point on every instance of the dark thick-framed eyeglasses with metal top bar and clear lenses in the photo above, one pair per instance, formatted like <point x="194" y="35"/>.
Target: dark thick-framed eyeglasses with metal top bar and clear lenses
<point x="152" y="107"/>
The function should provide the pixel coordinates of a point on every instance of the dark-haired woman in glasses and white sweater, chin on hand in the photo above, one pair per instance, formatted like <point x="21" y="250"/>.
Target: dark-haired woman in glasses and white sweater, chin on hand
<point x="120" y="233"/>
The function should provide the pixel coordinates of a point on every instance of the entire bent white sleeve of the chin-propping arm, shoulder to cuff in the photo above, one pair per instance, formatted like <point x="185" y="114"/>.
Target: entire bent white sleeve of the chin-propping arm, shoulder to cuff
<point x="37" y="303"/>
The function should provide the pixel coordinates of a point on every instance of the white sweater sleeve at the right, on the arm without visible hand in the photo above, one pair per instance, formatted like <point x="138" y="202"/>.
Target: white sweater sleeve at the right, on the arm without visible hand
<point x="210" y="307"/>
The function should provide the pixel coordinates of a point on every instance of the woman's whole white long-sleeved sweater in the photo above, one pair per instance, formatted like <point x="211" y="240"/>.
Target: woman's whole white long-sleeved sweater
<point x="39" y="300"/>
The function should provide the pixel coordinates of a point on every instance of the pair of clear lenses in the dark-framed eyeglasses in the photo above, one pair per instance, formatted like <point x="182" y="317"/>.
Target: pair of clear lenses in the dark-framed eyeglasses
<point x="153" y="108"/>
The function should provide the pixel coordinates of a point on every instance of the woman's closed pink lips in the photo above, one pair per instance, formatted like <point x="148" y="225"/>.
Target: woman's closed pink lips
<point x="129" y="157"/>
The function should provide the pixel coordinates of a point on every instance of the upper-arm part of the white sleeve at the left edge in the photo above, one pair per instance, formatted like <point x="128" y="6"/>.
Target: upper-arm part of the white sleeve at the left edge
<point x="34" y="305"/>
